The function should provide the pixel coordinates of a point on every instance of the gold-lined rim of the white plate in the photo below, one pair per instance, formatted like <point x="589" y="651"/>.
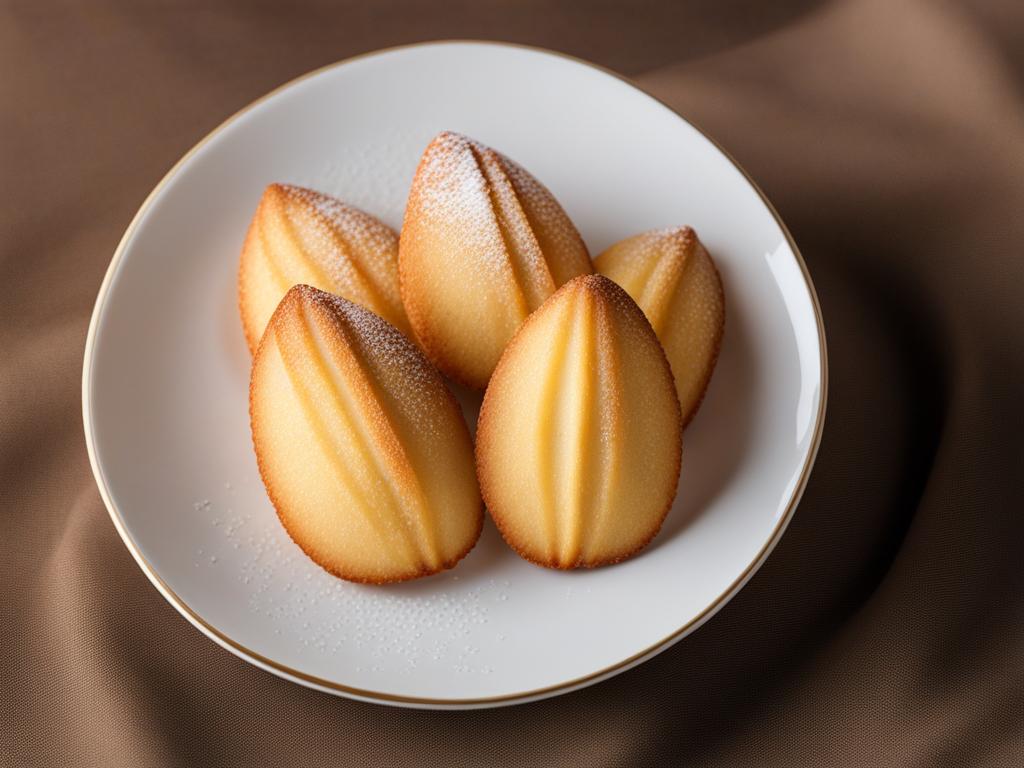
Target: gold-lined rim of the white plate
<point x="383" y="698"/>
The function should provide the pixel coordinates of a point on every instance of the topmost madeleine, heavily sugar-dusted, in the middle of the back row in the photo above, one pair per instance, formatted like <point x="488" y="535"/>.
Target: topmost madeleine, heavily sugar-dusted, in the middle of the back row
<point x="484" y="244"/>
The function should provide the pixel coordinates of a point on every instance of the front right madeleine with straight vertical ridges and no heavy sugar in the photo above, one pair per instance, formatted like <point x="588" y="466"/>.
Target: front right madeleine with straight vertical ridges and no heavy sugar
<point x="579" y="443"/>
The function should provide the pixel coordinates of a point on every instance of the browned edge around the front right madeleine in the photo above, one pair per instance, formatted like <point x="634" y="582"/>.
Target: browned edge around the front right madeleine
<point x="484" y="438"/>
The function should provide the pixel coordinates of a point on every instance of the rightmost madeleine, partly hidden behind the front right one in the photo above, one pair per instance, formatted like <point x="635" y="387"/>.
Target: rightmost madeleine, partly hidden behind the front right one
<point x="673" y="279"/>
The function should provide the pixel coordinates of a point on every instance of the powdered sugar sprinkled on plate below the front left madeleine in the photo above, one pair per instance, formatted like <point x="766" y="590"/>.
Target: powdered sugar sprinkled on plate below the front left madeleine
<point x="389" y="631"/>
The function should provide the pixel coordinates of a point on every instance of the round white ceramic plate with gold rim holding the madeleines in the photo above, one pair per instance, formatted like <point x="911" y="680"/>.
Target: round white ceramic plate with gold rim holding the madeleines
<point x="167" y="371"/>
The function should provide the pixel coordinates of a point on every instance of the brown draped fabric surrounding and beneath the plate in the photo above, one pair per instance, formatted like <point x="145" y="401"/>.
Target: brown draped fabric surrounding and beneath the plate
<point x="888" y="627"/>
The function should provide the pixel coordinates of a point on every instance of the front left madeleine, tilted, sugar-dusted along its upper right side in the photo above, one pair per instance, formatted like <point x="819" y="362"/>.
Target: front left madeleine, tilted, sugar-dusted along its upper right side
<point x="363" y="450"/>
